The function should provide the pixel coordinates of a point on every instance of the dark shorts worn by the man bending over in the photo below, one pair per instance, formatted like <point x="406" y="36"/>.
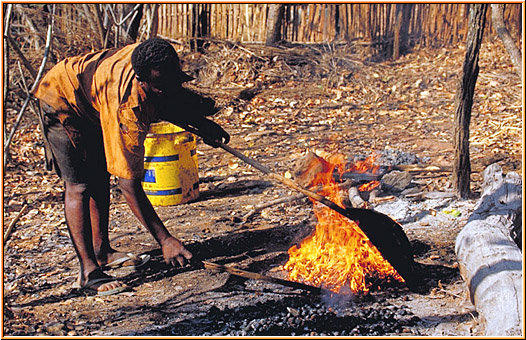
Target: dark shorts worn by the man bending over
<point x="78" y="151"/>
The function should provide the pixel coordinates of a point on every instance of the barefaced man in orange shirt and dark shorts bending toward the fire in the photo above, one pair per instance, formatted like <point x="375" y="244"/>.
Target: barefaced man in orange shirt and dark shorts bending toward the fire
<point x="97" y="109"/>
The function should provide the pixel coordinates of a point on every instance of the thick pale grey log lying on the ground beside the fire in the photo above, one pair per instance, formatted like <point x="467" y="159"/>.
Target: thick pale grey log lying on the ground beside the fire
<point x="489" y="260"/>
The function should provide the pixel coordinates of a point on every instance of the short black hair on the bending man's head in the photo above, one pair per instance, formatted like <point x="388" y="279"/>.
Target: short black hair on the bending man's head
<point x="156" y="54"/>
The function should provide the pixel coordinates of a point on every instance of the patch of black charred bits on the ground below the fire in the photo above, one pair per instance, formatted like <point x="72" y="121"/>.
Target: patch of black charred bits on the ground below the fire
<point x="295" y="316"/>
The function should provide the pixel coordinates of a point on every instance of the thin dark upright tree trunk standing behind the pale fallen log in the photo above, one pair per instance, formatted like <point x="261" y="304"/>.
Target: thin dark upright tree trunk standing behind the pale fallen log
<point x="464" y="100"/>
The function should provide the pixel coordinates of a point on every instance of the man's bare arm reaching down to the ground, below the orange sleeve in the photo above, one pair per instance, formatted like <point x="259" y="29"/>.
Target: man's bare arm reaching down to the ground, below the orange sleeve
<point x="173" y="249"/>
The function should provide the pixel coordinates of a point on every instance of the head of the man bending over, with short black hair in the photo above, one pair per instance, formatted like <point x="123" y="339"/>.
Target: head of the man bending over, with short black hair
<point x="157" y="66"/>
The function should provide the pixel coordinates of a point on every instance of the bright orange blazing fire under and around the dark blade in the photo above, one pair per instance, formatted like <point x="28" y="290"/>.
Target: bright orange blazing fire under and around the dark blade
<point x="338" y="254"/>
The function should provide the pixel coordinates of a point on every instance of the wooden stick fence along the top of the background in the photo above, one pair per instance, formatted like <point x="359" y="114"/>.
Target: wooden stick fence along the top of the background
<point x="428" y="24"/>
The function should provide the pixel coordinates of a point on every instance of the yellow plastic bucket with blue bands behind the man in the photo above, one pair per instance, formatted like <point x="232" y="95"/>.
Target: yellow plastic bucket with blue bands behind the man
<point x="170" y="165"/>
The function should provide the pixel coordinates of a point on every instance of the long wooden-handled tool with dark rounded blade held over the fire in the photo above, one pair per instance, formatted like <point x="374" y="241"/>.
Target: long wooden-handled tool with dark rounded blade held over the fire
<point x="386" y="234"/>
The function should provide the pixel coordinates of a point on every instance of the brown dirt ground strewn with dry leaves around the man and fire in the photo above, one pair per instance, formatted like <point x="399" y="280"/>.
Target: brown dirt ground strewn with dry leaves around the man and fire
<point x="353" y="104"/>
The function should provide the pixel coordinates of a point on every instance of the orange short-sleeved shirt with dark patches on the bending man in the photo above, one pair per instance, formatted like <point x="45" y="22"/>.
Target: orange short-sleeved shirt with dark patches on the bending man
<point x="101" y="87"/>
